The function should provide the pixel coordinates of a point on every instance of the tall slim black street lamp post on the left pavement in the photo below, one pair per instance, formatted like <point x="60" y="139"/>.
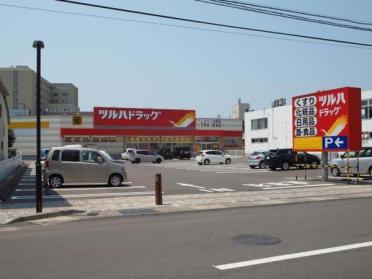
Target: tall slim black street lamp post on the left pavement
<point x="39" y="204"/>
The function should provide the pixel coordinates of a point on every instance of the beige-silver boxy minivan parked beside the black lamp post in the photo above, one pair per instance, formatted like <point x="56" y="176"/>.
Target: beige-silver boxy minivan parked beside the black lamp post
<point x="79" y="165"/>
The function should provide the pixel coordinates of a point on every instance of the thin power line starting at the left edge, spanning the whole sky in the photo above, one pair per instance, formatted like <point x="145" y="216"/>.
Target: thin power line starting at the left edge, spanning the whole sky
<point x="179" y="26"/>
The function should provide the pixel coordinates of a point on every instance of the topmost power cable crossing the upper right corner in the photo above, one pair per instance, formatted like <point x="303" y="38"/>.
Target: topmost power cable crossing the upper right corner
<point x="301" y="12"/>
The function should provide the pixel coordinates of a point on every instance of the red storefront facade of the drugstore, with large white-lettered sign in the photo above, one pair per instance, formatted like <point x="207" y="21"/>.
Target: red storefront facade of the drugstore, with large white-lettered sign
<point x="152" y="129"/>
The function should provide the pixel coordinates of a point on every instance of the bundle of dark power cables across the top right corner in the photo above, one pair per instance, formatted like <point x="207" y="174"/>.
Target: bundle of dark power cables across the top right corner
<point x="274" y="12"/>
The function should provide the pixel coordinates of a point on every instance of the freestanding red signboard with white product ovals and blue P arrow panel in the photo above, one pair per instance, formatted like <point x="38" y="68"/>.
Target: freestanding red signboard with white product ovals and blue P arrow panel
<point x="327" y="120"/>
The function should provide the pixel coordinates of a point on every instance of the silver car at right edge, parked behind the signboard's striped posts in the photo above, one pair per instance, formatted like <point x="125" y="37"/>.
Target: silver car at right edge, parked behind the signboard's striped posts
<point x="339" y="165"/>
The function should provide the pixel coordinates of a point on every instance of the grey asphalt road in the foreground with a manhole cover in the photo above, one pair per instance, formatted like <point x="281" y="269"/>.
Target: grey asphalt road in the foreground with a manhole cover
<point x="191" y="245"/>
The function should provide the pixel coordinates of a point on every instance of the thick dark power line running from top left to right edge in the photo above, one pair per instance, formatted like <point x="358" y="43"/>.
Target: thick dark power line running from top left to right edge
<point x="216" y="24"/>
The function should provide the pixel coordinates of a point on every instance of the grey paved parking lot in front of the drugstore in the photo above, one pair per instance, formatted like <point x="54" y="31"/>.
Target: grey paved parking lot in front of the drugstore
<point x="180" y="177"/>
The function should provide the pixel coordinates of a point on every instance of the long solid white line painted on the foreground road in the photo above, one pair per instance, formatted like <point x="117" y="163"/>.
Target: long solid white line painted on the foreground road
<point x="294" y="256"/>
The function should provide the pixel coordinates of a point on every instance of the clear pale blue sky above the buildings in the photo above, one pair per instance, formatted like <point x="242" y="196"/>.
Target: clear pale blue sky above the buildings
<point x="121" y="63"/>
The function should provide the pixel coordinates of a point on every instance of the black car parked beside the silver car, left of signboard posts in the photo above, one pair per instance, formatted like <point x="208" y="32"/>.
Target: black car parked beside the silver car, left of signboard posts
<point x="286" y="158"/>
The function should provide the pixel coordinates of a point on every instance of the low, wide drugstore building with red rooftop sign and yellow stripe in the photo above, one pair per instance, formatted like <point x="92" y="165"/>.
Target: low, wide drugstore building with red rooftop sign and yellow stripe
<point x="114" y="129"/>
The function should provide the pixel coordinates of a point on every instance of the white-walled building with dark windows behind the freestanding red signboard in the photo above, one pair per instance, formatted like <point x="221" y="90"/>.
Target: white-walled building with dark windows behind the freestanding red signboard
<point x="271" y="128"/>
